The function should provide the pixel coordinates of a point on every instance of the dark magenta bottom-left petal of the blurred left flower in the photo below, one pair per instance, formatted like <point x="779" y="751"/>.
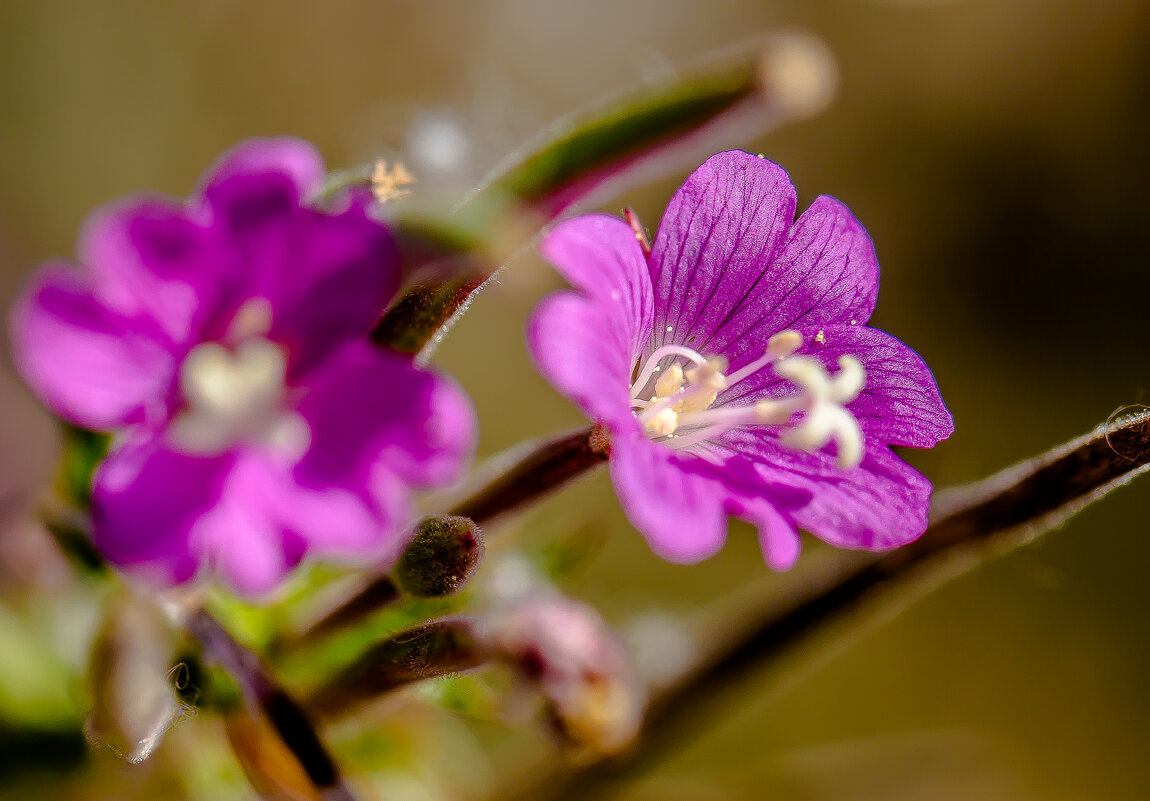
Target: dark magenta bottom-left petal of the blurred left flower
<point x="147" y="502"/>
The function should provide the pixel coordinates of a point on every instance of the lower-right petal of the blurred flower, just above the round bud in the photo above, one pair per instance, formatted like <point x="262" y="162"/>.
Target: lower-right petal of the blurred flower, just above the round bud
<point x="367" y="407"/>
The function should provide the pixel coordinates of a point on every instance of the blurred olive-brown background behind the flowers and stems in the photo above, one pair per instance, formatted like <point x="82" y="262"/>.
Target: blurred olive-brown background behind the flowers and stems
<point x="996" y="150"/>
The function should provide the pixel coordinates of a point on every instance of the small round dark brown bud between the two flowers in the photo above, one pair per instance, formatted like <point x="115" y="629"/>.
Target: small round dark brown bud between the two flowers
<point x="441" y="559"/>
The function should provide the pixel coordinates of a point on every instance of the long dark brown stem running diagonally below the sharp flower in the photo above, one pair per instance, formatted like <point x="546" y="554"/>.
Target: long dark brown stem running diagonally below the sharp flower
<point x="1008" y="509"/>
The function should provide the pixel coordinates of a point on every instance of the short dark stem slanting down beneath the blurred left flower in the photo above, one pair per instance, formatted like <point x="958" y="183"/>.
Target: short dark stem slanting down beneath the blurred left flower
<point x="264" y="694"/>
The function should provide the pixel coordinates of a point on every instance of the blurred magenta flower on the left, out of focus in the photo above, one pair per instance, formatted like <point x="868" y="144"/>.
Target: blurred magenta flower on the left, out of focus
<point x="225" y="340"/>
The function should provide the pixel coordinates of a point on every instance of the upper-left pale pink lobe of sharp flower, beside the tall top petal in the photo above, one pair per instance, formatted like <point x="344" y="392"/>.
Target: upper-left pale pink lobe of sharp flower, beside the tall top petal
<point x="601" y="258"/>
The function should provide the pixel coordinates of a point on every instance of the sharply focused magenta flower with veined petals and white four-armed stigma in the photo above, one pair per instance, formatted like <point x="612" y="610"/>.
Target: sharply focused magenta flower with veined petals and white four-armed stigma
<point x="734" y="371"/>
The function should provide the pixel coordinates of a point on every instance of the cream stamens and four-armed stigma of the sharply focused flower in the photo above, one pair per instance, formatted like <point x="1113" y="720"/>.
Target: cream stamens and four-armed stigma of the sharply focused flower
<point x="678" y="410"/>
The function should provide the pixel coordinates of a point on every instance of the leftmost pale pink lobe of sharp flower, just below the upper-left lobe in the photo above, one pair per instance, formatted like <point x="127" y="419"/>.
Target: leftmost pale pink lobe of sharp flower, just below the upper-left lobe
<point x="577" y="348"/>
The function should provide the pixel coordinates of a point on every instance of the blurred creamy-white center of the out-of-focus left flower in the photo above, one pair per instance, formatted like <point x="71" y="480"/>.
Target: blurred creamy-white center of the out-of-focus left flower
<point x="236" y="395"/>
